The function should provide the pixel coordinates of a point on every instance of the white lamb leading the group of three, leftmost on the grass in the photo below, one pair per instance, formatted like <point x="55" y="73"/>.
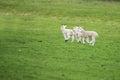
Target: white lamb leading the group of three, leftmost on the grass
<point x="67" y="33"/>
